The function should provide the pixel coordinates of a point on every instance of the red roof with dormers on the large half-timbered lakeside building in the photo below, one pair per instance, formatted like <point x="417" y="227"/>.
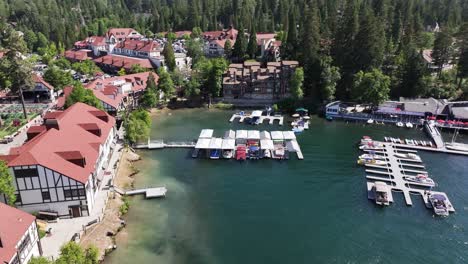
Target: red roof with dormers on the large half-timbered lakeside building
<point x="70" y="137"/>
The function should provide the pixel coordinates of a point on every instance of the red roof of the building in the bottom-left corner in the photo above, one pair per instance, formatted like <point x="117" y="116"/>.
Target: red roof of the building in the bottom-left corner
<point x="13" y="225"/>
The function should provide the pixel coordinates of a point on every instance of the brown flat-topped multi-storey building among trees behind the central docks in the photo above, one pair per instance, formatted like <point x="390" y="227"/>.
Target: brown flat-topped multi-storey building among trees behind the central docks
<point x="250" y="81"/>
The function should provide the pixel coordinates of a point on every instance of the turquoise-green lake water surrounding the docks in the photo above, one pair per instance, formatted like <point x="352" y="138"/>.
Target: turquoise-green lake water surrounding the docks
<point x="265" y="211"/>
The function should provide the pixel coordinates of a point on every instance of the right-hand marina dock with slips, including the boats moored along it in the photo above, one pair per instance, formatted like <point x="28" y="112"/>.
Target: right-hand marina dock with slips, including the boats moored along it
<point x="404" y="175"/>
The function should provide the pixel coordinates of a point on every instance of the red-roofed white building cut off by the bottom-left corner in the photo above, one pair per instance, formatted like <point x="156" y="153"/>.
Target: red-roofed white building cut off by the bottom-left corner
<point x="19" y="236"/>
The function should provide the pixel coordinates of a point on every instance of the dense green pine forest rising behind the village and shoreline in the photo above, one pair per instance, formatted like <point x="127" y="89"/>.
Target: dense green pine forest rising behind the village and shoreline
<point x="345" y="46"/>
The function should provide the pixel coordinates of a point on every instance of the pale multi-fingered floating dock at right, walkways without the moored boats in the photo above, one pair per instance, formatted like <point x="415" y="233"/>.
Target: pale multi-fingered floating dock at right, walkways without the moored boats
<point x="395" y="171"/>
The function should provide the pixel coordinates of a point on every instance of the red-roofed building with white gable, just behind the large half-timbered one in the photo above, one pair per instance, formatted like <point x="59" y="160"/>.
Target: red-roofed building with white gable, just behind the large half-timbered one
<point x="116" y="93"/>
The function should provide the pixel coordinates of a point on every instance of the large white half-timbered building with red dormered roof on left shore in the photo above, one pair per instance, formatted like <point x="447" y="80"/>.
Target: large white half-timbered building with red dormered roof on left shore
<point x="58" y="170"/>
